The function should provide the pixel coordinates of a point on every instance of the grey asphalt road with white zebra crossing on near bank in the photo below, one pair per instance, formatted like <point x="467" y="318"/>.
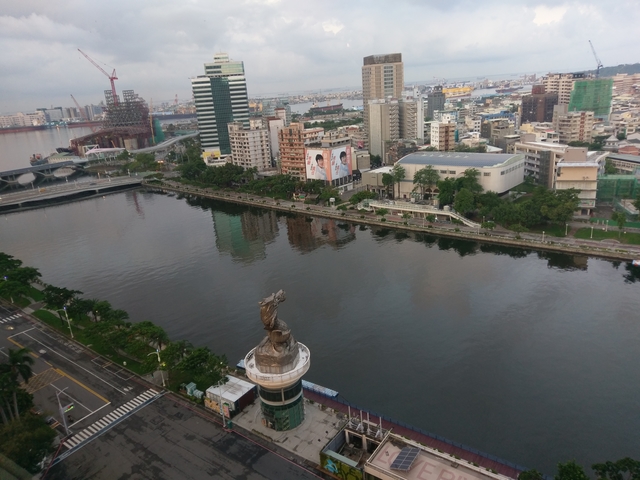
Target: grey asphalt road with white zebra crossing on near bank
<point x="123" y="427"/>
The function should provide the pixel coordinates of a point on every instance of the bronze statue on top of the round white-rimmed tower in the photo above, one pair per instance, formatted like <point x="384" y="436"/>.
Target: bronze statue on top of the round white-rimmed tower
<point x="278" y="351"/>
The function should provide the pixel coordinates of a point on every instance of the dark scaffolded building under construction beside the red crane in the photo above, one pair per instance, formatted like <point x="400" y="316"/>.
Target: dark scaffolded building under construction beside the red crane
<point x="126" y="125"/>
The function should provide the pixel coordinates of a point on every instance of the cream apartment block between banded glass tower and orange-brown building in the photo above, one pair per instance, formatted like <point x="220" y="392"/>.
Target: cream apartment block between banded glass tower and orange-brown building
<point x="249" y="147"/>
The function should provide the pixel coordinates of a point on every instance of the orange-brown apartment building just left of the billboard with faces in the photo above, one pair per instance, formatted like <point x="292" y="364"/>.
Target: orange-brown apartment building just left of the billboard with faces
<point x="292" y="141"/>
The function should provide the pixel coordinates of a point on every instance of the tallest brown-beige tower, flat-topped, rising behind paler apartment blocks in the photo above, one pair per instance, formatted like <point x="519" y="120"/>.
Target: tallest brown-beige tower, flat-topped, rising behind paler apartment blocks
<point x="382" y="77"/>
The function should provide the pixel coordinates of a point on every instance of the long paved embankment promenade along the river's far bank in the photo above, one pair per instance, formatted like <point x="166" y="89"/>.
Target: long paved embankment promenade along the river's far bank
<point x="527" y="241"/>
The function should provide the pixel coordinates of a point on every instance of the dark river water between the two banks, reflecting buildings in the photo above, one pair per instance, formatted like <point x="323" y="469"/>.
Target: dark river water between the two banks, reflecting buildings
<point x="531" y="357"/>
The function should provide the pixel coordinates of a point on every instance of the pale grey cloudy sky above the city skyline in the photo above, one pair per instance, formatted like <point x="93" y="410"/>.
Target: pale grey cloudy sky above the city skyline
<point x="293" y="46"/>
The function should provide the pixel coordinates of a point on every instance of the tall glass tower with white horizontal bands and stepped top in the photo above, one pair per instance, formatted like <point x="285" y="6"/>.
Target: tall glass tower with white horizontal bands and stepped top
<point x="221" y="98"/>
